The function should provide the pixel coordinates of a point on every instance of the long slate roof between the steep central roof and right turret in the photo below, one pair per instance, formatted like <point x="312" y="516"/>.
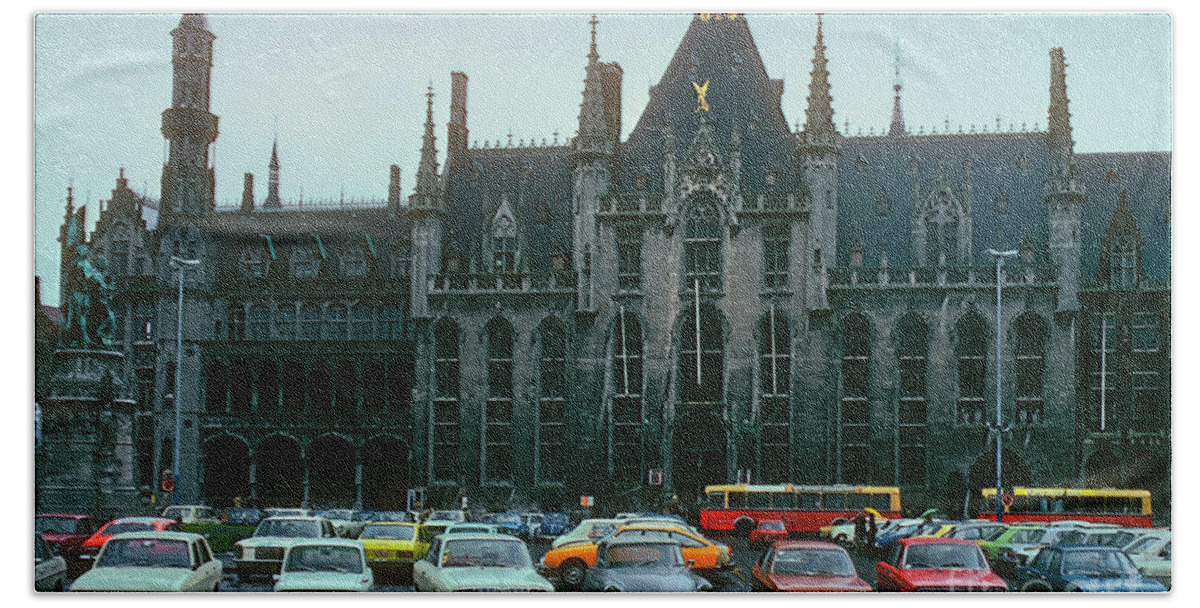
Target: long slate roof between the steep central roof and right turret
<point x="1016" y="162"/>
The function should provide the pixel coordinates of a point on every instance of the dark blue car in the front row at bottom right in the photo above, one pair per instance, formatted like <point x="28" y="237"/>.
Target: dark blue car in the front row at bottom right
<point x="1083" y="569"/>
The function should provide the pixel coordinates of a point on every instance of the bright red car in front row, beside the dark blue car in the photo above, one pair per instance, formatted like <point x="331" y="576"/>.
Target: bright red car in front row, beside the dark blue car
<point x="933" y="564"/>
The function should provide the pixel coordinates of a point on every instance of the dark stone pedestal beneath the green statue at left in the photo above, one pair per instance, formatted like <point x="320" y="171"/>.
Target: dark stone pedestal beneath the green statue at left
<point x="86" y="461"/>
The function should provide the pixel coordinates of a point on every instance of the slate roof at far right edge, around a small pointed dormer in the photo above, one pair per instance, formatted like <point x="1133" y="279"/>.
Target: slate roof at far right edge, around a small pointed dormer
<point x="1147" y="179"/>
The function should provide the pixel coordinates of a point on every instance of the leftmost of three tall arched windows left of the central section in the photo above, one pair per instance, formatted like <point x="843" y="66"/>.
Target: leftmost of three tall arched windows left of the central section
<point x="446" y="402"/>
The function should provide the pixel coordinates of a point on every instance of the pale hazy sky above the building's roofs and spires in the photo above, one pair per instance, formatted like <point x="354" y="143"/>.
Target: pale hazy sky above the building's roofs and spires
<point x="347" y="91"/>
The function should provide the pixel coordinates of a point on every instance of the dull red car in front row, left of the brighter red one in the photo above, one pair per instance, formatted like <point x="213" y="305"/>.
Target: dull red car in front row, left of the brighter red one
<point x="807" y="567"/>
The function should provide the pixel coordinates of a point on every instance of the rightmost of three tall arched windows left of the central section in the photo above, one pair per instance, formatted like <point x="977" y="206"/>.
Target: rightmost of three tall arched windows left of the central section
<point x="553" y="406"/>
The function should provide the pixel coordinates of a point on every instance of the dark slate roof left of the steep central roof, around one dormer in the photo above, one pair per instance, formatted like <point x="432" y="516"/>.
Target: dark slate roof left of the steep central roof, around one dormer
<point x="538" y="185"/>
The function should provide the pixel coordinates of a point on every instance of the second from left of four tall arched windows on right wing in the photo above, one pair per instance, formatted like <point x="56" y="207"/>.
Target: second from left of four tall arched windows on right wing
<point x="913" y="346"/>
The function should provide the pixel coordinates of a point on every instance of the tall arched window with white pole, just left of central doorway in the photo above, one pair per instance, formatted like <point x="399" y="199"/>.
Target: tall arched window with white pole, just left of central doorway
<point x="627" y="416"/>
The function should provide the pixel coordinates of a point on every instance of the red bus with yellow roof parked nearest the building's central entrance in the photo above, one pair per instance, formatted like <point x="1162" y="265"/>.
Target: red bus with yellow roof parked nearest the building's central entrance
<point x="803" y="509"/>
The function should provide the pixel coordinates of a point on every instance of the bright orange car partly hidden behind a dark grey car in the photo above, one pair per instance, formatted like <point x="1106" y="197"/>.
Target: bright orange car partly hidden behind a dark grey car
<point x="572" y="562"/>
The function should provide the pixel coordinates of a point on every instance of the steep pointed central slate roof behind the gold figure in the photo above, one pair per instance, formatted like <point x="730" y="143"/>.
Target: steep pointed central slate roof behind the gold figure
<point x="740" y="95"/>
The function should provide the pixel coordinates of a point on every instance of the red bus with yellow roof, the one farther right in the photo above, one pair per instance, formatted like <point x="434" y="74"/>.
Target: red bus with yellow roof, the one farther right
<point x="1127" y="508"/>
